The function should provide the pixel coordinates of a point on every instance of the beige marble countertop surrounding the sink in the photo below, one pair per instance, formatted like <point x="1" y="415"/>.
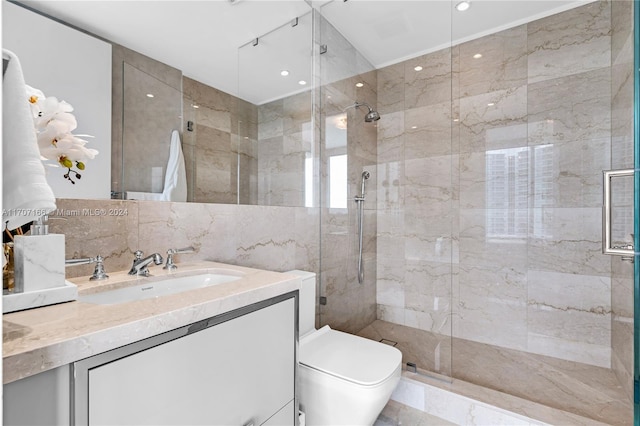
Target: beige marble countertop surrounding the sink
<point x="43" y="338"/>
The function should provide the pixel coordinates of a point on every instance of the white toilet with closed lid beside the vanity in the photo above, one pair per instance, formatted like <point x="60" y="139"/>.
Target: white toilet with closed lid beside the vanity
<point x="344" y="379"/>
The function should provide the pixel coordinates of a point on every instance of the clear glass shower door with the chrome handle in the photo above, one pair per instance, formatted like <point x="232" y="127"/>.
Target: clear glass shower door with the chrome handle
<point x="535" y="133"/>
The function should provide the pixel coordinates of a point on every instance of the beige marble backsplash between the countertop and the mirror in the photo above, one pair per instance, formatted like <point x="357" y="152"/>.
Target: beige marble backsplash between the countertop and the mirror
<point x="234" y="234"/>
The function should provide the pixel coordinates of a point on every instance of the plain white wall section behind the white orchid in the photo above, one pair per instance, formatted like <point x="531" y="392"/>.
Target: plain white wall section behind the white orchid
<point x="73" y="67"/>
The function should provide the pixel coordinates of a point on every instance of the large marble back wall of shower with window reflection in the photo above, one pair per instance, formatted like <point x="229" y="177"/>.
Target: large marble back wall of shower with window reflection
<point x="489" y="188"/>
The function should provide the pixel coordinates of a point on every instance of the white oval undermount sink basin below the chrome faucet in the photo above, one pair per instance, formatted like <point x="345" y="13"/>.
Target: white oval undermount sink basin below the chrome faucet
<point x="153" y="289"/>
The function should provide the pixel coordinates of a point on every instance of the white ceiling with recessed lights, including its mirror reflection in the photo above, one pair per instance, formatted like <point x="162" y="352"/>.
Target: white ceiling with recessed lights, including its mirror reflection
<point x="202" y="37"/>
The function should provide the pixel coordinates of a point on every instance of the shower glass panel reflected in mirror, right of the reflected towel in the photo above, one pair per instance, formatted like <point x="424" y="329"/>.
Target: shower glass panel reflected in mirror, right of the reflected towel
<point x="275" y="141"/>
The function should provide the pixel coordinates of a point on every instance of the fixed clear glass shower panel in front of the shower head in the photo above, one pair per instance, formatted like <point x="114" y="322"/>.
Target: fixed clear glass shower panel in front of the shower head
<point x="410" y="243"/>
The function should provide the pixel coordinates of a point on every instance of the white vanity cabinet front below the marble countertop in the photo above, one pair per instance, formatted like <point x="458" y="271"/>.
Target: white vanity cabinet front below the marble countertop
<point x="234" y="369"/>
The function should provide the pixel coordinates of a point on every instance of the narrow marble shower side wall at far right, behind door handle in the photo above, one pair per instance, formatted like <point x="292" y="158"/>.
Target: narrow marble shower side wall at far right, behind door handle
<point x="622" y="158"/>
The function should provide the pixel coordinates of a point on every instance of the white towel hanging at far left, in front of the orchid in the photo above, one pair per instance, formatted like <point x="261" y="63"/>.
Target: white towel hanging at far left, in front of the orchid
<point x="26" y="195"/>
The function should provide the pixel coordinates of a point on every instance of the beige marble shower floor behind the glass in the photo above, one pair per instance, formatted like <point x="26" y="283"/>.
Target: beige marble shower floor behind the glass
<point x="585" y="390"/>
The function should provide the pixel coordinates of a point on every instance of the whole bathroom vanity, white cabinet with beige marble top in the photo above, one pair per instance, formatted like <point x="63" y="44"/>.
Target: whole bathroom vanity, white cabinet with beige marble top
<point x="218" y="354"/>
